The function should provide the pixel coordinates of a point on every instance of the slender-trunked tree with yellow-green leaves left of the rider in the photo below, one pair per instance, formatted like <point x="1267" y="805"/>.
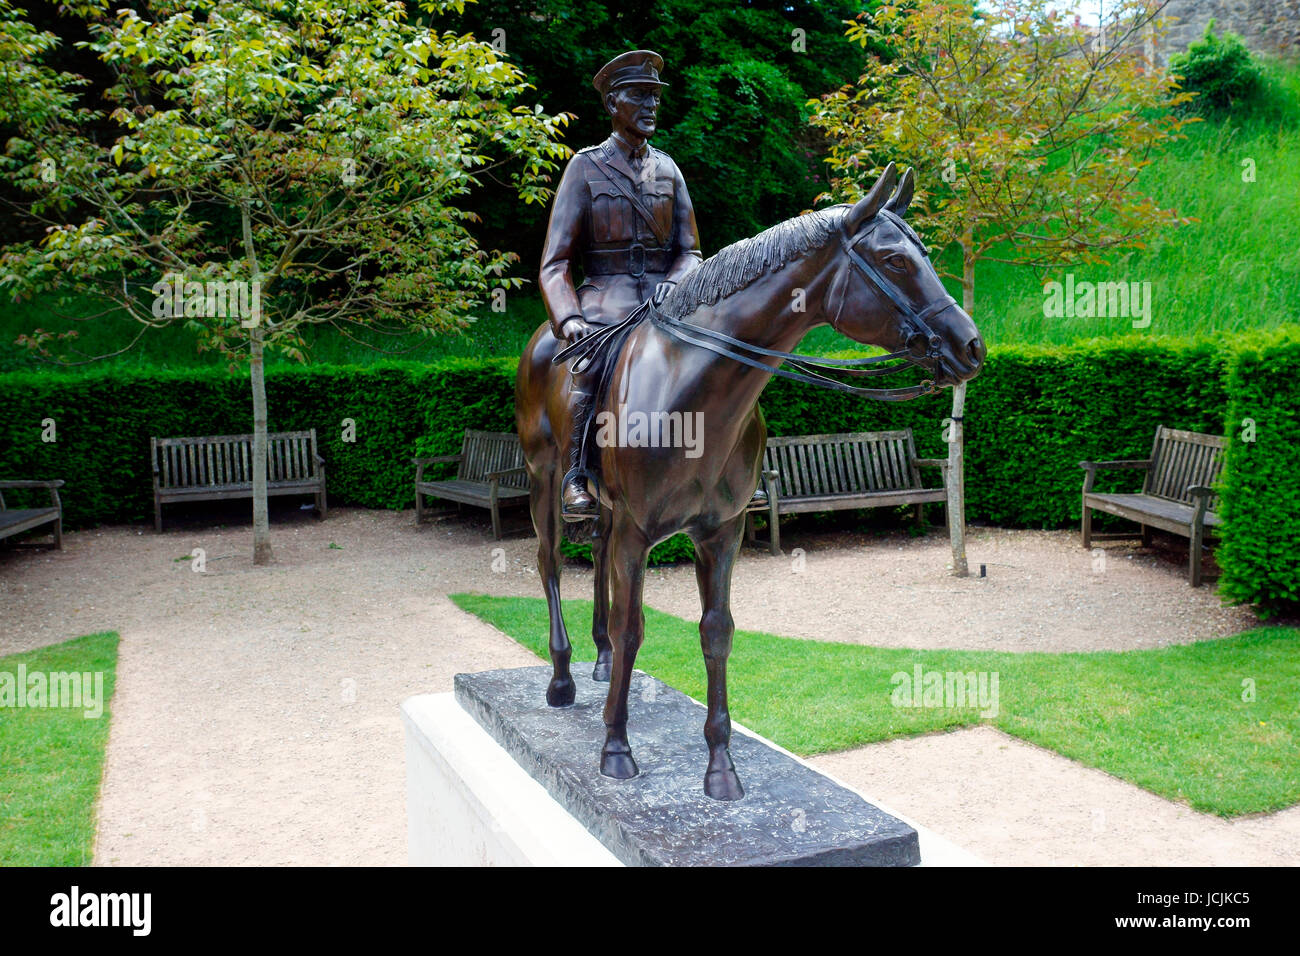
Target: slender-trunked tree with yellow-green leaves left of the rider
<point x="275" y="165"/>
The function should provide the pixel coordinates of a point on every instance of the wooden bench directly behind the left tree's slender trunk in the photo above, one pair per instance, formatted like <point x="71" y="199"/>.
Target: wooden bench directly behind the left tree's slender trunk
<point x="220" y="466"/>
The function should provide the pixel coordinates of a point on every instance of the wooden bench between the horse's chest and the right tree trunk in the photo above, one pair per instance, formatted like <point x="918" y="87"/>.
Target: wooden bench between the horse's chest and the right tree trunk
<point x="830" y="473"/>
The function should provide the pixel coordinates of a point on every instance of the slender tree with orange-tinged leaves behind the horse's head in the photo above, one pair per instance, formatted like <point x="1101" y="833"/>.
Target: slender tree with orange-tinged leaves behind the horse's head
<point x="1030" y="133"/>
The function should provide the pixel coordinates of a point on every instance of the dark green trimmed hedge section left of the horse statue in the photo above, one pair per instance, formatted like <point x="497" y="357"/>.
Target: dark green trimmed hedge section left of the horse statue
<point x="105" y="421"/>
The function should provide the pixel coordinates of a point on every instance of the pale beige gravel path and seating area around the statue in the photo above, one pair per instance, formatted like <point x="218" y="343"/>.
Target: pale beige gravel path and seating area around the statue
<point x="257" y="711"/>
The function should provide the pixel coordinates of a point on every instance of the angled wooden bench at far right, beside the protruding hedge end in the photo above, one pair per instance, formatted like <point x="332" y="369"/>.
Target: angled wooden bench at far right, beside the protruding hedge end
<point x="1177" y="495"/>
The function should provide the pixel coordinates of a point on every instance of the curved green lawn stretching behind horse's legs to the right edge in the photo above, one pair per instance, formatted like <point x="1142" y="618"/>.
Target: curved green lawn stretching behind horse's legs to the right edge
<point x="1171" y="721"/>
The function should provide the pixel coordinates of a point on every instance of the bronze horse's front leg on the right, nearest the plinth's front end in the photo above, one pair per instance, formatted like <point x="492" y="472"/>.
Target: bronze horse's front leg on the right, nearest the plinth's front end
<point x="716" y="557"/>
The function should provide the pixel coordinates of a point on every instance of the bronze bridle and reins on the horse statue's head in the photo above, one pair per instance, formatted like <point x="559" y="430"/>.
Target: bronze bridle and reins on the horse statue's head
<point x="811" y="371"/>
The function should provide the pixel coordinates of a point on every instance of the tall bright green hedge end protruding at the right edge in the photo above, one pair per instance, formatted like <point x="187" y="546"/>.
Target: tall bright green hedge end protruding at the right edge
<point x="1260" y="556"/>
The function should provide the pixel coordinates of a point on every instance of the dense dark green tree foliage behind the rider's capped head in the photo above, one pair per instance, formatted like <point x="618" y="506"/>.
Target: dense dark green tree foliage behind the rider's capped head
<point x="735" y="113"/>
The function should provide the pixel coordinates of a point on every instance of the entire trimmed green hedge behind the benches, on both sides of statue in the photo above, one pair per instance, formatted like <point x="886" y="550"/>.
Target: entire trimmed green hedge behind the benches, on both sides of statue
<point x="1032" y="417"/>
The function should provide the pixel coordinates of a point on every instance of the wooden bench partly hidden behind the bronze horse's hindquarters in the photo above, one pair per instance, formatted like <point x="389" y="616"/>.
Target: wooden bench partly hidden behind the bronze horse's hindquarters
<point x="491" y="474"/>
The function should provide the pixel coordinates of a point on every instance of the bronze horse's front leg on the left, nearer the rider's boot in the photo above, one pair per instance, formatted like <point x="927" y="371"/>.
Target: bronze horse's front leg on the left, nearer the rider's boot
<point x="627" y="559"/>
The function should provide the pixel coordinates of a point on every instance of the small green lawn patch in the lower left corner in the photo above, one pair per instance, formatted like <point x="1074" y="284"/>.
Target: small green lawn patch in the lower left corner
<point x="53" y="760"/>
